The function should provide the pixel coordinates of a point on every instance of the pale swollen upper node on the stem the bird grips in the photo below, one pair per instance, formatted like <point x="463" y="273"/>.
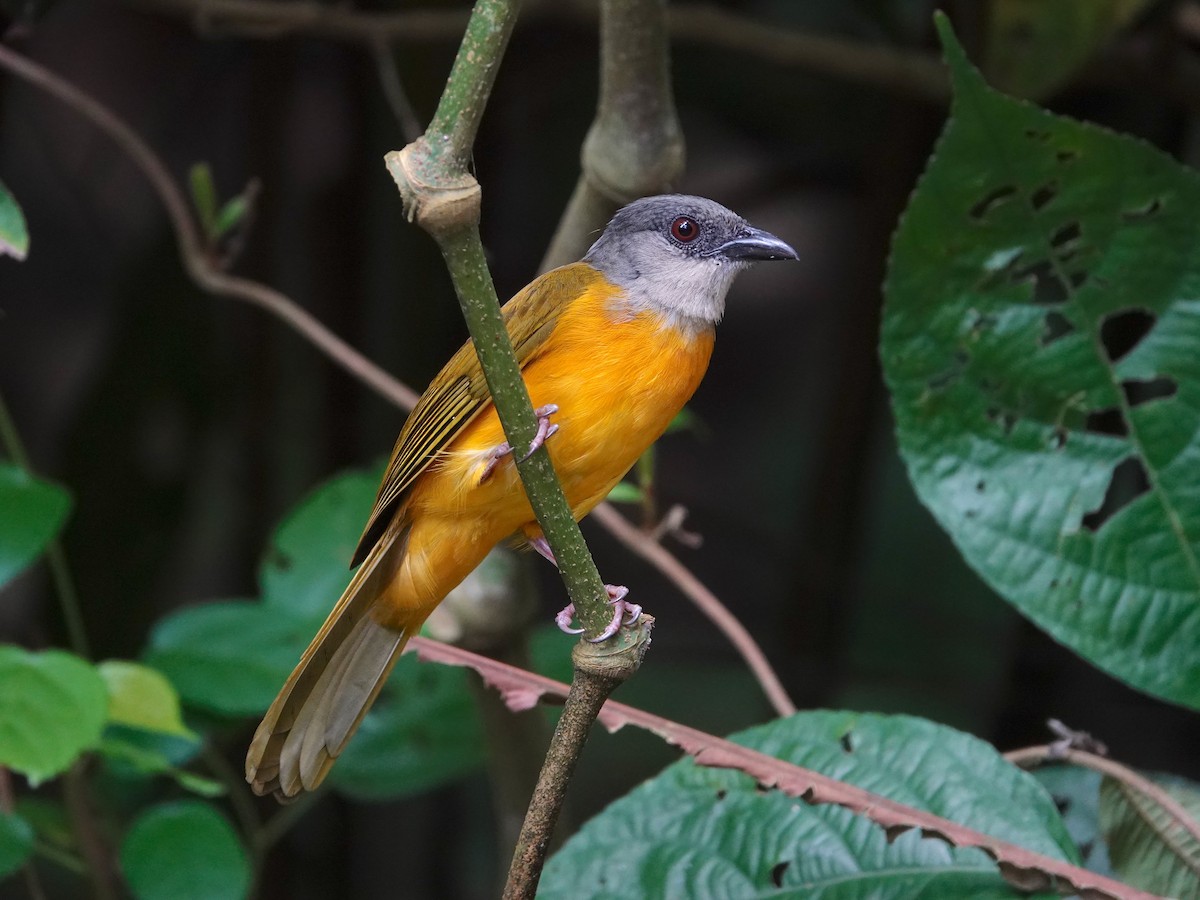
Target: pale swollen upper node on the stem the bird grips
<point x="439" y="203"/>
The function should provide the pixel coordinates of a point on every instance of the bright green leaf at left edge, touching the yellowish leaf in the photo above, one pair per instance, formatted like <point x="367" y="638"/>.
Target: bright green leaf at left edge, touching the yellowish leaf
<point x="52" y="709"/>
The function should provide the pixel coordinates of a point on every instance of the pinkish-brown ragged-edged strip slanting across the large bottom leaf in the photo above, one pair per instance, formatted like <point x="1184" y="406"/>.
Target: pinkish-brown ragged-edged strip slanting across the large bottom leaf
<point x="1030" y="872"/>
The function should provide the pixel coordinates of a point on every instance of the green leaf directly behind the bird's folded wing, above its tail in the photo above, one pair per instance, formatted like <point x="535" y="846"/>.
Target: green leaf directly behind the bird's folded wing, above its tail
<point x="307" y="567"/>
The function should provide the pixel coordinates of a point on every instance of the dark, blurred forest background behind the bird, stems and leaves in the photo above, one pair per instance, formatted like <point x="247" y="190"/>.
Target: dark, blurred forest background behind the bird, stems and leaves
<point x="188" y="425"/>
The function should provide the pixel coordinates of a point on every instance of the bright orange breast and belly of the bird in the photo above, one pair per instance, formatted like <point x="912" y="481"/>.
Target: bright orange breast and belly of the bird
<point x="619" y="379"/>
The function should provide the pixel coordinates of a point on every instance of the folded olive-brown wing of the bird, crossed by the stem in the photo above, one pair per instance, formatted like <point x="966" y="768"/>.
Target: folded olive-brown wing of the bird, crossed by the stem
<point x="459" y="393"/>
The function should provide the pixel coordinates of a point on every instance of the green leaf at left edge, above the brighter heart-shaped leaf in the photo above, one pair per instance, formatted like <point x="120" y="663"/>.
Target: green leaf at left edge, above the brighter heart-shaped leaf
<point x="34" y="512"/>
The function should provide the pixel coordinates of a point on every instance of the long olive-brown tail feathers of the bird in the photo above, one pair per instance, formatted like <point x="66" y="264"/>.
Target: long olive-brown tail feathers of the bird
<point x="334" y="685"/>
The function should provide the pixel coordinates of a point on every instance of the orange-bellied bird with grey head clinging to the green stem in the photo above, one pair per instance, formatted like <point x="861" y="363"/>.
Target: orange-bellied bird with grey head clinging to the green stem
<point x="610" y="349"/>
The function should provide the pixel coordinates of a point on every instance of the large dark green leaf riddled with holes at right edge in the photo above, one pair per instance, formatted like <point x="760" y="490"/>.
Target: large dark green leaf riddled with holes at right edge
<point x="1041" y="341"/>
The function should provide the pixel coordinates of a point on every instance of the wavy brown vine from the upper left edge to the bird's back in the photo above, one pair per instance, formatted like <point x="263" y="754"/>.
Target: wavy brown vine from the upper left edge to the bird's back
<point x="193" y="249"/>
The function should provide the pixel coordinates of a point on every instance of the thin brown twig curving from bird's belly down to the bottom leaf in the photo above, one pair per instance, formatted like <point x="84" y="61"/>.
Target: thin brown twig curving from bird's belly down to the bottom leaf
<point x="705" y="601"/>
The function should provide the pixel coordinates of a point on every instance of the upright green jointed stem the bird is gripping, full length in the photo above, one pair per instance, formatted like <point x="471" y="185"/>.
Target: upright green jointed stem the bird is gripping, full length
<point x="441" y="195"/>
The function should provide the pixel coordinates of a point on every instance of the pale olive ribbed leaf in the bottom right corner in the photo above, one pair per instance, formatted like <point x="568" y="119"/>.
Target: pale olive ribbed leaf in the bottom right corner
<point x="1149" y="847"/>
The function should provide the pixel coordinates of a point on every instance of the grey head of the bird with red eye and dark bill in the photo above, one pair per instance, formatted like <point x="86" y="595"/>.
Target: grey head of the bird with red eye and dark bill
<point x="677" y="256"/>
